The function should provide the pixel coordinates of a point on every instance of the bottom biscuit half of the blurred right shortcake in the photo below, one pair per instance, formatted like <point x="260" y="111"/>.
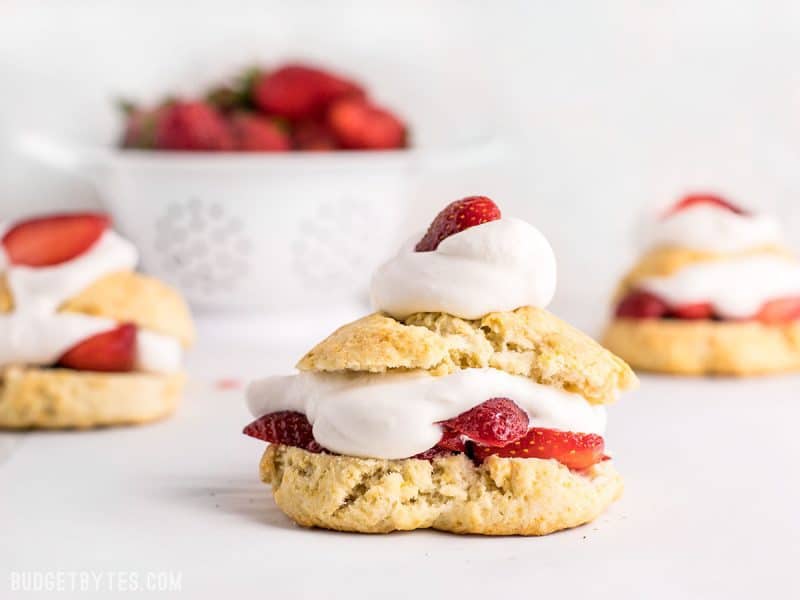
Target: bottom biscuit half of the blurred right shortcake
<point x="685" y="347"/>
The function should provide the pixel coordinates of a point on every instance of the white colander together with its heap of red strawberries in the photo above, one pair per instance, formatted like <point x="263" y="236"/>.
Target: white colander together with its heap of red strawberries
<point x="247" y="196"/>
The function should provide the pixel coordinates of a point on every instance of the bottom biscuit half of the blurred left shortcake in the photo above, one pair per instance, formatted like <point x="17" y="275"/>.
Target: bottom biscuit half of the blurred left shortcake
<point x="64" y="398"/>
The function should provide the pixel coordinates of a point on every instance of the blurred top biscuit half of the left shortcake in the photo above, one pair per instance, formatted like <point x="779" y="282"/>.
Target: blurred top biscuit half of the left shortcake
<point x="127" y="297"/>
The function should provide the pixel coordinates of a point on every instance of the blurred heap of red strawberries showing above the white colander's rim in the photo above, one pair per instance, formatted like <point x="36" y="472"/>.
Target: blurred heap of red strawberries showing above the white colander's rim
<point x="294" y="107"/>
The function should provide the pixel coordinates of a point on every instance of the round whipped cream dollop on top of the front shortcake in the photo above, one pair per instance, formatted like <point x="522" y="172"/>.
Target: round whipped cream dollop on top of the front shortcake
<point x="497" y="266"/>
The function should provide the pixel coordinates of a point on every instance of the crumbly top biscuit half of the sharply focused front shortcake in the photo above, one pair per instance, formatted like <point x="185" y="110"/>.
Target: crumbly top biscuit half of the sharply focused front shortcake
<point x="528" y="341"/>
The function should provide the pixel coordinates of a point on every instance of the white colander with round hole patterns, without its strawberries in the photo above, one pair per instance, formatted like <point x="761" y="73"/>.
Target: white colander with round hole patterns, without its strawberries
<point x="269" y="232"/>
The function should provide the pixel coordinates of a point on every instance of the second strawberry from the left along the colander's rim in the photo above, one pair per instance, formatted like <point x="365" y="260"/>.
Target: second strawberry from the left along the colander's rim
<point x="194" y="125"/>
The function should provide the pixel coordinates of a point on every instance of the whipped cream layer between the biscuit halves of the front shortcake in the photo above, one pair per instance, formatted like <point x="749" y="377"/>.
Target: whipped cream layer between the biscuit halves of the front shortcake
<point x="394" y="415"/>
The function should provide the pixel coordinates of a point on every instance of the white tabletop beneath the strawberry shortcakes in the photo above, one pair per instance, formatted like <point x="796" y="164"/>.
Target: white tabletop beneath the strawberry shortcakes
<point x="711" y="507"/>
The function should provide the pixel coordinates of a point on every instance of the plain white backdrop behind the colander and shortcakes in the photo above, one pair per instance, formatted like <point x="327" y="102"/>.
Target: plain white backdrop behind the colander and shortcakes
<point x="609" y="106"/>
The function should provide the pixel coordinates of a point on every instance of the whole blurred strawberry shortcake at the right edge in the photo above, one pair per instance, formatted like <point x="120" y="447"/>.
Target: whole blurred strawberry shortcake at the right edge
<point x="717" y="292"/>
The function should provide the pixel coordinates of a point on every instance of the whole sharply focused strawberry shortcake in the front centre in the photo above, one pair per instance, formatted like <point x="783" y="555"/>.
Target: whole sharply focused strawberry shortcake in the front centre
<point x="460" y="405"/>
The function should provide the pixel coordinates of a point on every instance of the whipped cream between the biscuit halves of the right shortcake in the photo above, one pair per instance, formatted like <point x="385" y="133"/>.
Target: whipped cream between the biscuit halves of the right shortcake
<point x="737" y="288"/>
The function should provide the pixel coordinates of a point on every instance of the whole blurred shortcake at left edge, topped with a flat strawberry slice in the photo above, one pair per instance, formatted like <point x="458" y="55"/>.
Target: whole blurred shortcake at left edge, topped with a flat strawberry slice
<point x="84" y="341"/>
